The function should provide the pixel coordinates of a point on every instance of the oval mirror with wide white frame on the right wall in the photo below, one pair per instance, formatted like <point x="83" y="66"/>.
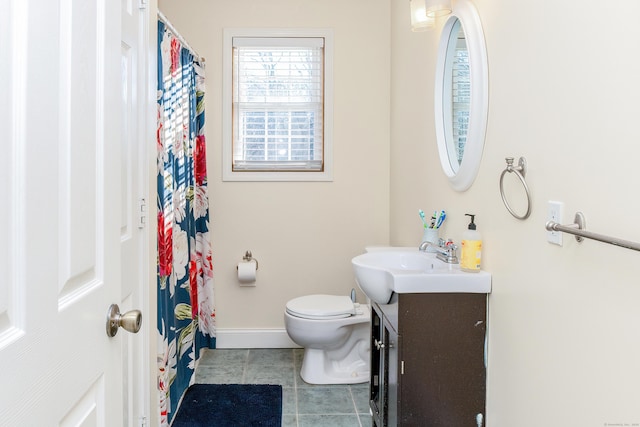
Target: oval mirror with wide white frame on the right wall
<point x="461" y="95"/>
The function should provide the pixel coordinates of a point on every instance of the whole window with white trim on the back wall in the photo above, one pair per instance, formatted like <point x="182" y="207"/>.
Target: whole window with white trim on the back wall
<point x="277" y="116"/>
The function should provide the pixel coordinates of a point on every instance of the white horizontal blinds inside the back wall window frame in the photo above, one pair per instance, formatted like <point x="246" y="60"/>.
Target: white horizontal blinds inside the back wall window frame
<point x="278" y="97"/>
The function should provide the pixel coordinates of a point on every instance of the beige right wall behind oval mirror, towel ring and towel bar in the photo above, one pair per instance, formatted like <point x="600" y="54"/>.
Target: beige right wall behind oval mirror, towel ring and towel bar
<point x="564" y="341"/>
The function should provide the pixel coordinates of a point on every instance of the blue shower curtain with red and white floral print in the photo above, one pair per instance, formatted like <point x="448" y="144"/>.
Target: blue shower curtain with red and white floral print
<point x="186" y="311"/>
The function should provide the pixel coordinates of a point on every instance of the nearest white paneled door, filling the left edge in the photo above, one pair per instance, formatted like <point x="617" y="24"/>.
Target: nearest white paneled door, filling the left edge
<point x="61" y="221"/>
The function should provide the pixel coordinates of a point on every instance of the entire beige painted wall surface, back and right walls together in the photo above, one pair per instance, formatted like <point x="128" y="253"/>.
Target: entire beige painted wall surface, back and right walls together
<point x="564" y="335"/>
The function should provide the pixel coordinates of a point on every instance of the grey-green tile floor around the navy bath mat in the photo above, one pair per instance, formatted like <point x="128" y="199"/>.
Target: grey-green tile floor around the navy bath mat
<point x="303" y="405"/>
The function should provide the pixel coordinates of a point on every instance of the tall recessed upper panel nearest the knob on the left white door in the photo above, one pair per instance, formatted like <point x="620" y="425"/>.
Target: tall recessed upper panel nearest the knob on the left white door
<point x="80" y="189"/>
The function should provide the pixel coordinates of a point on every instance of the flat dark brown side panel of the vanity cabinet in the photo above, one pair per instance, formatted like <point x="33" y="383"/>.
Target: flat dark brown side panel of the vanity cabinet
<point x="442" y="370"/>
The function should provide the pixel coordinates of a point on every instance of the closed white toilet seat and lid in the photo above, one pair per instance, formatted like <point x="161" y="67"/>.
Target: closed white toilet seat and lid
<point x="321" y="307"/>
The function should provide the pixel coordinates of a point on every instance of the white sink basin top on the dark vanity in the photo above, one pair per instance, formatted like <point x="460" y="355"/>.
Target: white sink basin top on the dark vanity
<point x="384" y="270"/>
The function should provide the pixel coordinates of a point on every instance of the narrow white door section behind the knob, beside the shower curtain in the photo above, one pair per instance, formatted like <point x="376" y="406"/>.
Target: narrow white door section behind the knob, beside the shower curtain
<point x="133" y="218"/>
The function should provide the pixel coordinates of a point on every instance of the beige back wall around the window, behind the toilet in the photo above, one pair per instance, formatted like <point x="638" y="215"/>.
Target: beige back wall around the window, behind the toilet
<point x="303" y="234"/>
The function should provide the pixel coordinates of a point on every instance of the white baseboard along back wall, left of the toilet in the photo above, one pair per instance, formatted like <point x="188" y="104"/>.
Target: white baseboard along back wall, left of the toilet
<point x="253" y="338"/>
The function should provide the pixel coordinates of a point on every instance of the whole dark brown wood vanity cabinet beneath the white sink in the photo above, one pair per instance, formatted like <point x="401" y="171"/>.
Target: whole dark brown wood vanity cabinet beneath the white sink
<point x="428" y="360"/>
